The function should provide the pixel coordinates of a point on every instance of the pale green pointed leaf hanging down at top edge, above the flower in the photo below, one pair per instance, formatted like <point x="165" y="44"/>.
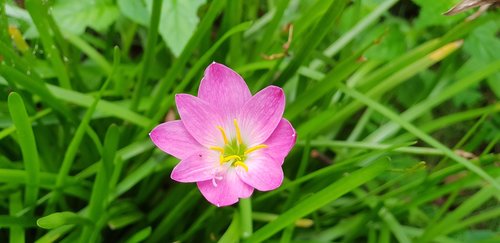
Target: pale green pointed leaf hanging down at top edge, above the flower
<point x="178" y="22"/>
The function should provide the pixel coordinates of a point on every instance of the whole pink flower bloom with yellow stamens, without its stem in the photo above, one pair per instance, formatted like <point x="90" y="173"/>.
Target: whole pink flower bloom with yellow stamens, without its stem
<point x="229" y="142"/>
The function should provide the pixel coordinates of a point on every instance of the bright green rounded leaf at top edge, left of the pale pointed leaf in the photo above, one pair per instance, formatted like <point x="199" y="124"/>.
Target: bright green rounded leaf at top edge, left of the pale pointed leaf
<point x="74" y="15"/>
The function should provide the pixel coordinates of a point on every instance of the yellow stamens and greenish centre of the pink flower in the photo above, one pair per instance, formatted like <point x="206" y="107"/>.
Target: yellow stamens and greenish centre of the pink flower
<point x="235" y="152"/>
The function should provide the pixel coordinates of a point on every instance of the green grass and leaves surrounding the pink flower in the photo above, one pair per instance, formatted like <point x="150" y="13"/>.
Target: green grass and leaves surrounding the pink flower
<point x="396" y="108"/>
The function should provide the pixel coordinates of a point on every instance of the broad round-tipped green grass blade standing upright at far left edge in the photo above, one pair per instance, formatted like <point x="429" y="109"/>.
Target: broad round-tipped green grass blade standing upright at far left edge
<point x="28" y="148"/>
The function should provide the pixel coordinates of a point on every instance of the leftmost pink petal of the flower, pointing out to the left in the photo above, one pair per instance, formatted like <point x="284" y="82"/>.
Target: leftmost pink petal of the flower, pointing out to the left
<point x="173" y="138"/>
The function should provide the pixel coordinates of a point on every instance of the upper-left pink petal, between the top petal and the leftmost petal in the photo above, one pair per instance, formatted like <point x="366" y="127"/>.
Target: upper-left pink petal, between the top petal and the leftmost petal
<point x="200" y="119"/>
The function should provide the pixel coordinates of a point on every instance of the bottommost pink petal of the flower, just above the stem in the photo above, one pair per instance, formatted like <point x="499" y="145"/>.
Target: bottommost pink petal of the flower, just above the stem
<point x="225" y="191"/>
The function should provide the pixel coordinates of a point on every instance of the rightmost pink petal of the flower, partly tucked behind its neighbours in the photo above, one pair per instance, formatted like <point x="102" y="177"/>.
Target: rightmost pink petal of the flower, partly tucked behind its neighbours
<point x="281" y="141"/>
